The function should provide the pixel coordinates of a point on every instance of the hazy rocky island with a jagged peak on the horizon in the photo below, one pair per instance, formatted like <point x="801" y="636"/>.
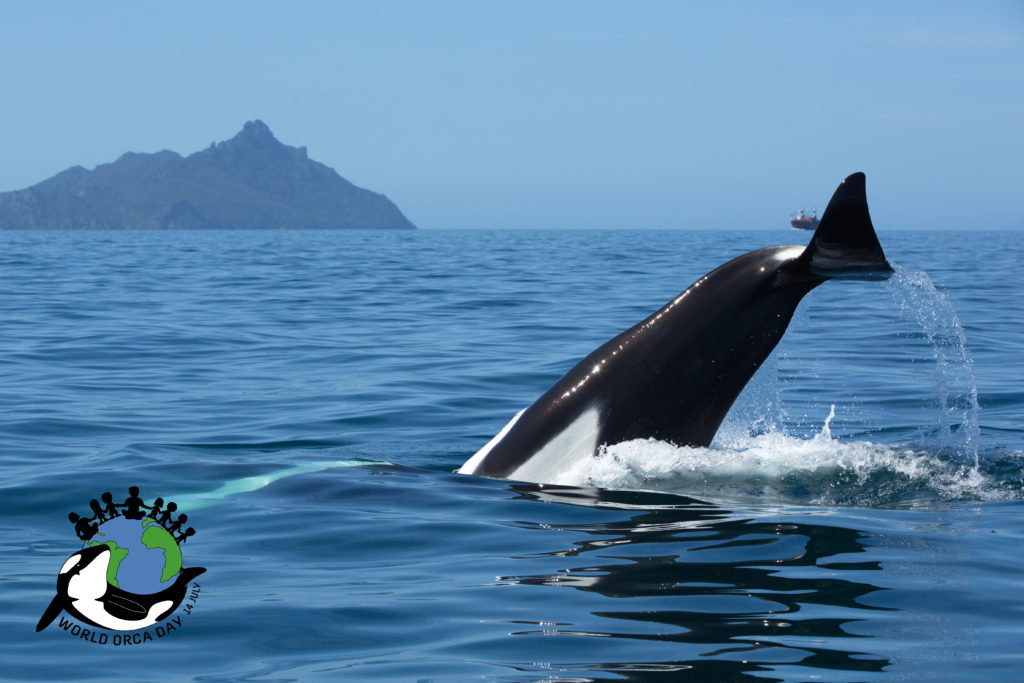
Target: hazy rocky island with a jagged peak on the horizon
<point x="249" y="182"/>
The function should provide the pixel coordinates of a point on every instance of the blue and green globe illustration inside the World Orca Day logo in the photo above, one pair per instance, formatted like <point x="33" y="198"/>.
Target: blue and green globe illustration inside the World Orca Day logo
<point x="145" y="558"/>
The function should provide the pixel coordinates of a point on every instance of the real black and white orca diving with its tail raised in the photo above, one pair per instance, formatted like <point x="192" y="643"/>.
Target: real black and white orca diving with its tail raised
<point x="674" y="376"/>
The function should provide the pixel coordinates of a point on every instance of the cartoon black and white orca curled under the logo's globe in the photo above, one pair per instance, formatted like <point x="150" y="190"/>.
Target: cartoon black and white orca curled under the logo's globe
<point x="84" y="593"/>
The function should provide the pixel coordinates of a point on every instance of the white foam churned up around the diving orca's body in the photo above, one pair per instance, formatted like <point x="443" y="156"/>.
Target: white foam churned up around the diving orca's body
<point x="775" y="467"/>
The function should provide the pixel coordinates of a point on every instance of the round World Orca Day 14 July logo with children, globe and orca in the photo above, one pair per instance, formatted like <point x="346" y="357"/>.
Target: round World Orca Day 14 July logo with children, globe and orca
<point x="129" y="577"/>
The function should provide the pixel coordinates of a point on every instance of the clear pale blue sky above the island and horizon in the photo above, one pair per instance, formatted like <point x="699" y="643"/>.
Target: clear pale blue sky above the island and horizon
<point x="576" y="114"/>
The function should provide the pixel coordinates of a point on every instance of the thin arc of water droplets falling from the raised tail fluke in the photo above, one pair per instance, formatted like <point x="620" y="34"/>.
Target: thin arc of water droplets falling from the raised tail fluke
<point x="956" y="388"/>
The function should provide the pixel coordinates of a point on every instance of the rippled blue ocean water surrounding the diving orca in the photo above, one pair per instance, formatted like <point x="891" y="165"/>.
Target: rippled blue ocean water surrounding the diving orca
<point x="307" y="398"/>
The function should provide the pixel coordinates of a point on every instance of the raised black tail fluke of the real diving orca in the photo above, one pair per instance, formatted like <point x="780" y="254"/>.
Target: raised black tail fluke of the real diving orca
<point x="845" y="245"/>
